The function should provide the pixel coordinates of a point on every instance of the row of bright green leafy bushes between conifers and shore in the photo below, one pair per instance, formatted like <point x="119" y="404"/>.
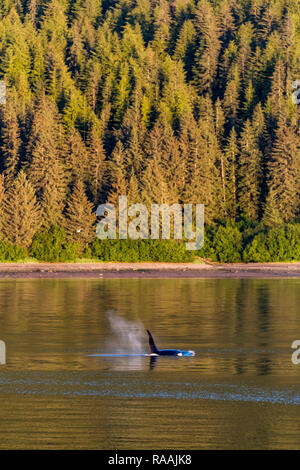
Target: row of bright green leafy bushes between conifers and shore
<point x="229" y="242"/>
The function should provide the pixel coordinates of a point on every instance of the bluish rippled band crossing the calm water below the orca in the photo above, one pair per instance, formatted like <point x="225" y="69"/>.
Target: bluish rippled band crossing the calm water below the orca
<point x="85" y="386"/>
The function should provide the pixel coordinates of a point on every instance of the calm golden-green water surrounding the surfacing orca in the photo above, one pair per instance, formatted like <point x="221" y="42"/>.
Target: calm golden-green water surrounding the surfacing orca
<point x="240" y="391"/>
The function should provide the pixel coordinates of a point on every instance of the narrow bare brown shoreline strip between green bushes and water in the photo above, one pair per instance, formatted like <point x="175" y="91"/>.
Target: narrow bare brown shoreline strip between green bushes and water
<point x="148" y="270"/>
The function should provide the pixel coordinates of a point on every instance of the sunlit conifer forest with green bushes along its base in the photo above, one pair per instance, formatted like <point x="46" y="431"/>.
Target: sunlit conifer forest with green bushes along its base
<point x="182" y="101"/>
